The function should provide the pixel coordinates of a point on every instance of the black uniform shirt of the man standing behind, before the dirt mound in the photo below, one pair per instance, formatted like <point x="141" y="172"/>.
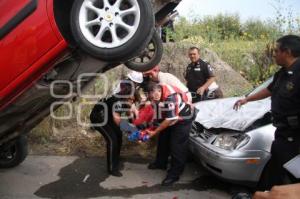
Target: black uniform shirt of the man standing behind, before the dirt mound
<point x="197" y="74"/>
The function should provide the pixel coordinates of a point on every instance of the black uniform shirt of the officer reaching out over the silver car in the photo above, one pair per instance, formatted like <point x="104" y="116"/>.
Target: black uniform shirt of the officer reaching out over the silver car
<point x="285" y="89"/>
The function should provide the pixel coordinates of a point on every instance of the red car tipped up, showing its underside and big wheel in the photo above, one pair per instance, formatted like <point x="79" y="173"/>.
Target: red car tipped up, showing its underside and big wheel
<point x="43" y="41"/>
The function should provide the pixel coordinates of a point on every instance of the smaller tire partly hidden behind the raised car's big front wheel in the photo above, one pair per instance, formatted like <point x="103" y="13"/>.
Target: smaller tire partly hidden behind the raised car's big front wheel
<point x="150" y="56"/>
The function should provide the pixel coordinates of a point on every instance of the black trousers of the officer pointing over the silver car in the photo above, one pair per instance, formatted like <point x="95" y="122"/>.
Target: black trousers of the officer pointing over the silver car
<point x="282" y="150"/>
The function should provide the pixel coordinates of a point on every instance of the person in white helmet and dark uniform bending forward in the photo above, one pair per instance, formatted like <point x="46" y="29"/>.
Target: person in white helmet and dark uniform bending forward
<point x="106" y="117"/>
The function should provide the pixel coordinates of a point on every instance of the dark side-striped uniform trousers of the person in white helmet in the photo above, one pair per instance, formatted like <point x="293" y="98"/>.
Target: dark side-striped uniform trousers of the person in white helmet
<point x="111" y="133"/>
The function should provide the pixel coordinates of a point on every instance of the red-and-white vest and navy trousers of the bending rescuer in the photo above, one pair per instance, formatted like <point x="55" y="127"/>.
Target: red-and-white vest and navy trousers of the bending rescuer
<point x="174" y="139"/>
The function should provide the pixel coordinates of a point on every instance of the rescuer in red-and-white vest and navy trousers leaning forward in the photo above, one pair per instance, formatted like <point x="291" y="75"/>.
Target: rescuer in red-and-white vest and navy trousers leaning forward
<point x="175" y="117"/>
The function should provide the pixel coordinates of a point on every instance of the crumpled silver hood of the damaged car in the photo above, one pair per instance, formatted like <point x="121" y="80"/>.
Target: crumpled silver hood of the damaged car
<point x="219" y="113"/>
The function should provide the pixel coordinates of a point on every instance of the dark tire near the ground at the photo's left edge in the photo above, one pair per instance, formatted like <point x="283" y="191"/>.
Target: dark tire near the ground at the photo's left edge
<point x="14" y="153"/>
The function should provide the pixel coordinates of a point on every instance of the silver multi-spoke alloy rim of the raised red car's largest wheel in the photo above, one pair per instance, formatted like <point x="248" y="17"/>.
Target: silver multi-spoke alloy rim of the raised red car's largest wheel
<point x="109" y="23"/>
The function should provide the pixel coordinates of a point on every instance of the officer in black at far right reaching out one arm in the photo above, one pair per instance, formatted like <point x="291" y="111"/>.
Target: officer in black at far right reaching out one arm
<point x="285" y="96"/>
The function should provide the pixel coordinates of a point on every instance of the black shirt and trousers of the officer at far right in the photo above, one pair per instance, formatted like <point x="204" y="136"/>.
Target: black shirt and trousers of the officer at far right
<point x="285" y="108"/>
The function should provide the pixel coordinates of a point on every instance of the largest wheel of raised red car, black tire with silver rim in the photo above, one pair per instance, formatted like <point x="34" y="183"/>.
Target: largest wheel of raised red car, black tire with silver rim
<point x="133" y="27"/>
